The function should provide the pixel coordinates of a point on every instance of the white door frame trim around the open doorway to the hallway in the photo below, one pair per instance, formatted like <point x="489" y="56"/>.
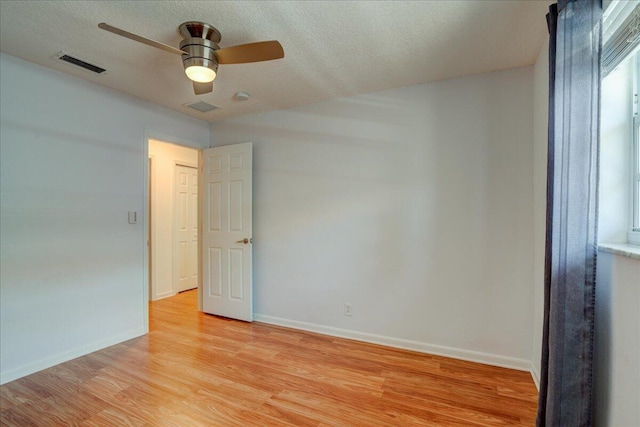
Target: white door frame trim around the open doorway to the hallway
<point x="146" y="284"/>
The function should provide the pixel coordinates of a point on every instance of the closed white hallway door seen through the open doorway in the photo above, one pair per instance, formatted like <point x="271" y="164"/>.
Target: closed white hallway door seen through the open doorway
<point x="185" y="241"/>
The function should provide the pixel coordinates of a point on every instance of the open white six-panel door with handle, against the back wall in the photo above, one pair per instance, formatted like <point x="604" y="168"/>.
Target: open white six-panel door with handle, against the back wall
<point x="226" y="196"/>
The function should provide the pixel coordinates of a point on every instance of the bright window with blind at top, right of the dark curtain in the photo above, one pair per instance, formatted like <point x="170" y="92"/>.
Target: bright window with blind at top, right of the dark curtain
<point x="620" y="125"/>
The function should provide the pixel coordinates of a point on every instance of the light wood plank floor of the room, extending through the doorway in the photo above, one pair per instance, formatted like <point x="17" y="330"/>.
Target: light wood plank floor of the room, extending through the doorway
<point x="194" y="369"/>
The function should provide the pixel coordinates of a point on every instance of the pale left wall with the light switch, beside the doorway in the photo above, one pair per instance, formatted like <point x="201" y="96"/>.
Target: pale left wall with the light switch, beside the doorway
<point x="72" y="164"/>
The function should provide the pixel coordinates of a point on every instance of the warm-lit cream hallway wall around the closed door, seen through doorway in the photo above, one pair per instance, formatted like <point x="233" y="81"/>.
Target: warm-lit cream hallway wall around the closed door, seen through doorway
<point x="164" y="158"/>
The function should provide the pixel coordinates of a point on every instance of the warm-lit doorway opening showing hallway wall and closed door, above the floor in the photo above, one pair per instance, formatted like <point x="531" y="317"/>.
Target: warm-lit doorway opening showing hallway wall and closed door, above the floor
<point x="173" y="218"/>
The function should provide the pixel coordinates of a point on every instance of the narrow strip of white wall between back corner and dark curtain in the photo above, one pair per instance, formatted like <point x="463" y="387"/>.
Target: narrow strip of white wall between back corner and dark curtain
<point x="540" y="144"/>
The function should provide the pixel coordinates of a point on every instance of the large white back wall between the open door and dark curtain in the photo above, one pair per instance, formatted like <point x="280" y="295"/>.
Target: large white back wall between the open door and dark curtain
<point x="412" y="204"/>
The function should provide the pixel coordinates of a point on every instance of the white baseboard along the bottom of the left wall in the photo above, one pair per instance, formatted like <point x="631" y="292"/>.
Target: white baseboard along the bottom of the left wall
<point x="32" y="368"/>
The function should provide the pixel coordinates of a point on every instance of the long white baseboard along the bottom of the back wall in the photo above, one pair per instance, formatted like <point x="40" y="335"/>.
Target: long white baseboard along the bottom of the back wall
<point x="438" y="350"/>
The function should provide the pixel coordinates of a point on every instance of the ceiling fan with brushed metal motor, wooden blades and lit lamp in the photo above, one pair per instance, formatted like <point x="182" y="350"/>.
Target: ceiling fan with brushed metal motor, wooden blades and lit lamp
<point x="201" y="54"/>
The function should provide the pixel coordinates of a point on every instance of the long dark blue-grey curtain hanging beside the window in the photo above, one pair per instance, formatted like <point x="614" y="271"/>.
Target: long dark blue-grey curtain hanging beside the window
<point x="572" y="199"/>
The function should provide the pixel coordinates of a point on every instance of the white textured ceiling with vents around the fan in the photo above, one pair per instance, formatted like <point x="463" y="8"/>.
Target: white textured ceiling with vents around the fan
<point x="332" y="48"/>
